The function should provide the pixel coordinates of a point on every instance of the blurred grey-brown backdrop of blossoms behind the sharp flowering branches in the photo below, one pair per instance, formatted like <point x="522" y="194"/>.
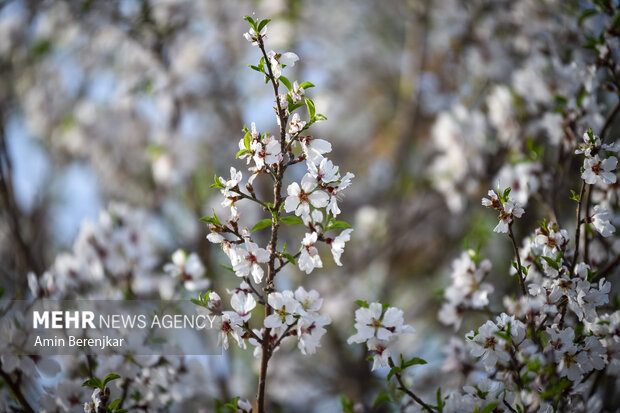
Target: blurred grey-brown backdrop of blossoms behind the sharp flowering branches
<point x="115" y="115"/>
